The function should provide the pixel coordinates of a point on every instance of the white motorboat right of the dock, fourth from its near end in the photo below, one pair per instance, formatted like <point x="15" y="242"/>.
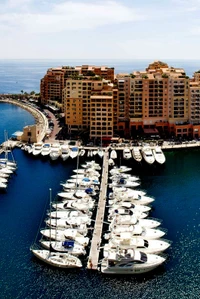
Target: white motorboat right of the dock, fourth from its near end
<point x="132" y="219"/>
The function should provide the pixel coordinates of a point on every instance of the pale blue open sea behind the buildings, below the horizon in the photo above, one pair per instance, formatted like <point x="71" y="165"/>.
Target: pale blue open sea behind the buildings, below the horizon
<point x="25" y="75"/>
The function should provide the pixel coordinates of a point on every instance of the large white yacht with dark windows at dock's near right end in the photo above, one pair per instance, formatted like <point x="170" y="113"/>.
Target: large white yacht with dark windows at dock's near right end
<point x="130" y="262"/>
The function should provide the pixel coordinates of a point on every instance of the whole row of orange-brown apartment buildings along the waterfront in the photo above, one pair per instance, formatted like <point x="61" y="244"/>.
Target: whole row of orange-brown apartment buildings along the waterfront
<point x="160" y="98"/>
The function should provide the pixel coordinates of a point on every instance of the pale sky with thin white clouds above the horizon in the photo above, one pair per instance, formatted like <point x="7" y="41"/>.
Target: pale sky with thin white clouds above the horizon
<point x="106" y="29"/>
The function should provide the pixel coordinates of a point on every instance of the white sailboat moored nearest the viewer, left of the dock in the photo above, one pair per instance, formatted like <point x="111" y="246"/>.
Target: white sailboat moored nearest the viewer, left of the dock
<point x="57" y="259"/>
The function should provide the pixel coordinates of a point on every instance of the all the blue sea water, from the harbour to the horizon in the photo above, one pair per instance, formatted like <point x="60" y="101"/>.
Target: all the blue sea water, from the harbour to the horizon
<point x="23" y="208"/>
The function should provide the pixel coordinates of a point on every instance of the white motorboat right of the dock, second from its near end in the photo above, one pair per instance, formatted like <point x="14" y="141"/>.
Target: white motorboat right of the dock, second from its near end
<point x="149" y="246"/>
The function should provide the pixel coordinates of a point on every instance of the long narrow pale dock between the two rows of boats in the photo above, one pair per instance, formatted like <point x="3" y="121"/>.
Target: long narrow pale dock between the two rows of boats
<point x="97" y="233"/>
